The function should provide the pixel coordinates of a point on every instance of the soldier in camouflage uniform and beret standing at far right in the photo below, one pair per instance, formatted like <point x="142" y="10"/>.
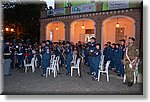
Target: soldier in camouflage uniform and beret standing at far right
<point x="130" y="59"/>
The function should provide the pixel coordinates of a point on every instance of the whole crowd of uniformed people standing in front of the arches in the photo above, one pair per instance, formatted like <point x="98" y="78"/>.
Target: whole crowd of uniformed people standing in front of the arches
<point x="119" y="54"/>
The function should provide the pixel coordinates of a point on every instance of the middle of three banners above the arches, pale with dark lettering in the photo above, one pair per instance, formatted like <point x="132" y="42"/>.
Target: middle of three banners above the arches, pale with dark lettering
<point x="83" y="8"/>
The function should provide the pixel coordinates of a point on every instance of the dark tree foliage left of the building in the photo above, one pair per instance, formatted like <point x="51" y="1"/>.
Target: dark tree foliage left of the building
<point x="25" y="14"/>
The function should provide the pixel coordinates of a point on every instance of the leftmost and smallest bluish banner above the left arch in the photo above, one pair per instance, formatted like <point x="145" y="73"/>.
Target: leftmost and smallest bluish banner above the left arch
<point x="56" y="12"/>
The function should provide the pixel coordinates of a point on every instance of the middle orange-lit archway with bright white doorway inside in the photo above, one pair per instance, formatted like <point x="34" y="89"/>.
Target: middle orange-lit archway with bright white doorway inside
<point x="82" y="30"/>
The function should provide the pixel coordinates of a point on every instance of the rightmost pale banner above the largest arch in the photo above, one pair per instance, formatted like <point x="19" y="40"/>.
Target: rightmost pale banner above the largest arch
<point x="118" y="4"/>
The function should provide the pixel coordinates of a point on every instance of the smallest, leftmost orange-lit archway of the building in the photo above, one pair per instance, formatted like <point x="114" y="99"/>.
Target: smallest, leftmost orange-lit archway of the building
<point x="55" y="31"/>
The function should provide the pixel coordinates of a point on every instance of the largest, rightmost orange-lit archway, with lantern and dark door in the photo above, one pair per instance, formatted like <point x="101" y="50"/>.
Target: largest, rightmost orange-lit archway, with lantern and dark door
<point x="116" y="28"/>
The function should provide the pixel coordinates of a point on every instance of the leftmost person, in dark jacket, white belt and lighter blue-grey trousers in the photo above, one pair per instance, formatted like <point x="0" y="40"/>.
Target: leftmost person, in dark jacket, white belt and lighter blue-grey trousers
<point x="7" y="58"/>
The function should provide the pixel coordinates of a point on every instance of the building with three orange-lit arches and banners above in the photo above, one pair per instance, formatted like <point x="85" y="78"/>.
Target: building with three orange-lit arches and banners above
<point x="118" y="20"/>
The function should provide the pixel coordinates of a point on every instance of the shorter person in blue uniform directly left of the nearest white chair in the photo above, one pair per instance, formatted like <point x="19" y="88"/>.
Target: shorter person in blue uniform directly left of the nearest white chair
<point x="96" y="60"/>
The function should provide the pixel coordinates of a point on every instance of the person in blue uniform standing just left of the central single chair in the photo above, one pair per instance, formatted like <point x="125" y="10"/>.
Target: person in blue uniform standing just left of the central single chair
<point x="69" y="57"/>
